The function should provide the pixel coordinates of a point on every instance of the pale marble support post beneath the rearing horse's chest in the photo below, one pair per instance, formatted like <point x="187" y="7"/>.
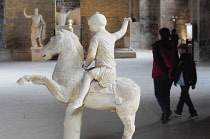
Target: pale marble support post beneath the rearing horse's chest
<point x="73" y="122"/>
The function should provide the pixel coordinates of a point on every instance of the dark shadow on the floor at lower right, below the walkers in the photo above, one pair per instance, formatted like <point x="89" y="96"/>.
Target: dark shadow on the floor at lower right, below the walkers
<point x="176" y="128"/>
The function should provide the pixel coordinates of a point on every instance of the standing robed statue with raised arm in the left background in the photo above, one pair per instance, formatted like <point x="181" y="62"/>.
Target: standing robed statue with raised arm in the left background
<point x="38" y="28"/>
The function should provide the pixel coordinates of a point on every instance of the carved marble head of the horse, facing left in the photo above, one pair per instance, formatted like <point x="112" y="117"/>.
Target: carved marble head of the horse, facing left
<point x="54" y="46"/>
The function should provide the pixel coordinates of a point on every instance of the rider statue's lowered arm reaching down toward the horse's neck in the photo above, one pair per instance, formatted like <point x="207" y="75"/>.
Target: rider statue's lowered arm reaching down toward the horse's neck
<point x="92" y="50"/>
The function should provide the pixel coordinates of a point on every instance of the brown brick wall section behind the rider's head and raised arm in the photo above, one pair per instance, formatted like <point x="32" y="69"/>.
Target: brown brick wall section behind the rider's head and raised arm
<point x="114" y="10"/>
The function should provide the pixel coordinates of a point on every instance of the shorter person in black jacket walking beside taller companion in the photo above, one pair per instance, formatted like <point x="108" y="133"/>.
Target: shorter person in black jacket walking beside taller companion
<point x="186" y="77"/>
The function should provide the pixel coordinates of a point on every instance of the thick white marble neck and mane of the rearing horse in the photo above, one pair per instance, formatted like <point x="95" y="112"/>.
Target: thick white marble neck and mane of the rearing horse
<point x="68" y="71"/>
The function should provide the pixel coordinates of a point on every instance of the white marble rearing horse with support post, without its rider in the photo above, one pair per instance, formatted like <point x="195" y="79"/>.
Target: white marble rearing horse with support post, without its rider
<point x="122" y="97"/>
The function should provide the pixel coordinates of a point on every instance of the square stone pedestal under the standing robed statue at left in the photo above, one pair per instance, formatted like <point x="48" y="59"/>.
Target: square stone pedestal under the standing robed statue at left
<point x="36" y="54"/>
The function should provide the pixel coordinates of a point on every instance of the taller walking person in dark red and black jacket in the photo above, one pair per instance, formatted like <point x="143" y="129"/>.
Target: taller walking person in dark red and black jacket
<point x="165" y="59"/>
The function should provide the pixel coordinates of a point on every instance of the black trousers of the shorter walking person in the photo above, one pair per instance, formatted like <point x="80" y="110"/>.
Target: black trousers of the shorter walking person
<point x="185" y="98"/>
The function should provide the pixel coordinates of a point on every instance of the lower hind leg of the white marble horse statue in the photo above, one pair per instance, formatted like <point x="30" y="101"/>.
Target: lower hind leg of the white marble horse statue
<point x="129" y="124"/>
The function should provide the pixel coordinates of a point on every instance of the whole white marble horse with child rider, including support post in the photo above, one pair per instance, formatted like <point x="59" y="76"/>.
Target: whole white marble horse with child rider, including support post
<point x="74" y="86"/>
